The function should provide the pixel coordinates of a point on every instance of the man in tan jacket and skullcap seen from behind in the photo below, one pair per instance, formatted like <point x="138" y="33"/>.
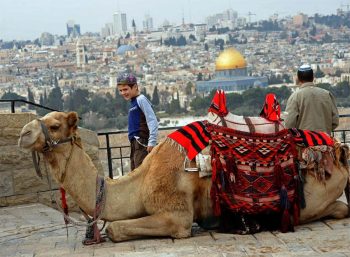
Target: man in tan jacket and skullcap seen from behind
<point x="311" y="107"/>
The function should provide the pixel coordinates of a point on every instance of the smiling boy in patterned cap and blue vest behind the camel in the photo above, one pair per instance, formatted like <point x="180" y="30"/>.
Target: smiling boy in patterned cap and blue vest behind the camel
<point x="142" y="122"/>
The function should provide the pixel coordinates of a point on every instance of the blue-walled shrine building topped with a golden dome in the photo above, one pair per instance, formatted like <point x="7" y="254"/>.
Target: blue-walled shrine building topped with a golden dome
<point x="231" y="74"/>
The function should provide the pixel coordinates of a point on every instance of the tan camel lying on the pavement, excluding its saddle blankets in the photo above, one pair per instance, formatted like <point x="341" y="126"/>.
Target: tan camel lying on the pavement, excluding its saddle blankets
<point x="158" y="198"/>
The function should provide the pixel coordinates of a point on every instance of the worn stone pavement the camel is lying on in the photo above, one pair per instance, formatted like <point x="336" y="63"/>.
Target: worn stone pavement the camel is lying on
<point x="36" y="230"/>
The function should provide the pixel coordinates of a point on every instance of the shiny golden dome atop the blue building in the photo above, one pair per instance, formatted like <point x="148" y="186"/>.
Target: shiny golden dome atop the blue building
<point x="230" y="59"/>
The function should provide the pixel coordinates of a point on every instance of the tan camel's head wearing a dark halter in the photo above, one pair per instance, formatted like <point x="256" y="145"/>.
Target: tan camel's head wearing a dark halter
<point x="41" y="134"/>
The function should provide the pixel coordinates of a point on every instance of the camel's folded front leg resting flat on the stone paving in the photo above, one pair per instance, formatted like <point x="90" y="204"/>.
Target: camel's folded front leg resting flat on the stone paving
<point x="176" y="225"/>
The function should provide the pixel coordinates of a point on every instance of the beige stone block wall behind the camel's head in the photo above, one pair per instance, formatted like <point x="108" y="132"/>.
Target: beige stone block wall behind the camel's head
<point x="19" y="183"/>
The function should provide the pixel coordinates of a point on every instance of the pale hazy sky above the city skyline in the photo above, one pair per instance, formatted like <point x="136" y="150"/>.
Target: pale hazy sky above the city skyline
<point x="27" y="19"/>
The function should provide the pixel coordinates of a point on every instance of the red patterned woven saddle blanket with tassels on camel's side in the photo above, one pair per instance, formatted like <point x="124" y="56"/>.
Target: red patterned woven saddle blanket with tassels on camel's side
<point x="253" y="173"/>
